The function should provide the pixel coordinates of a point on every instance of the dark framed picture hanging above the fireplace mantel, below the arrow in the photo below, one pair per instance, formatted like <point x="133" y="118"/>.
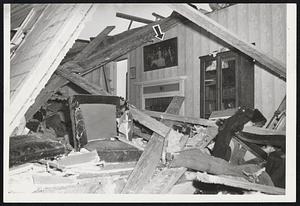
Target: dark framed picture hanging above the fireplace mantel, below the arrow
<point x="161" y="55"/>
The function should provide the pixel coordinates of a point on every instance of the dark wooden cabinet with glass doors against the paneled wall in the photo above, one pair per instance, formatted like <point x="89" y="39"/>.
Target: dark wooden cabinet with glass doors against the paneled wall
<point x="227" y="81"/>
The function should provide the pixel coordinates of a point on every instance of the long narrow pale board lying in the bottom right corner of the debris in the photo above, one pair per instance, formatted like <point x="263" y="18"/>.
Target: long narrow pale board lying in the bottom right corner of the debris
<point x="229" y="181"/>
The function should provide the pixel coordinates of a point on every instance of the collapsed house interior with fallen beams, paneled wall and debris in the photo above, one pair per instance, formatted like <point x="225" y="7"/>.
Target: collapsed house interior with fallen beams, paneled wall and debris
<point x="204" y="104"/>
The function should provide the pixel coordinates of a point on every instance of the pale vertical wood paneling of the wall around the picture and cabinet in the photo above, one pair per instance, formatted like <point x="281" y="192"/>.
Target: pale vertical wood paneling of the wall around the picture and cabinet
<point x="262" y="24"/>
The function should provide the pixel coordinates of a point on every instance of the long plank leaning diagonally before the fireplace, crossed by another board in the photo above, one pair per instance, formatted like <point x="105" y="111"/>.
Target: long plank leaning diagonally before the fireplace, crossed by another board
<point x="149" y="160"/>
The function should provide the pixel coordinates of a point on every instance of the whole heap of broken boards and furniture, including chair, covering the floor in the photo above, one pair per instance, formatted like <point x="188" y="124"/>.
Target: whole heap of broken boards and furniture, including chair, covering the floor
<point x="112" y="147"/>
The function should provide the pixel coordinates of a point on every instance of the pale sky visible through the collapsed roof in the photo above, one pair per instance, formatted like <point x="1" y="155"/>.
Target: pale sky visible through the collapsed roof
<point x="105" y="15"/>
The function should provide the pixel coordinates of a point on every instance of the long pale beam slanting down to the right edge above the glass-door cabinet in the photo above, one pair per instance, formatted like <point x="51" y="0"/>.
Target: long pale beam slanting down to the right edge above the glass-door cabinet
<point x="271" y="64"/>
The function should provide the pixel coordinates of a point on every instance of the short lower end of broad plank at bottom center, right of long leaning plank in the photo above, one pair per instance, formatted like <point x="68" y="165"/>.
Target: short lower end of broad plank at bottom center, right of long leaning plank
<point x="162" y="182"/>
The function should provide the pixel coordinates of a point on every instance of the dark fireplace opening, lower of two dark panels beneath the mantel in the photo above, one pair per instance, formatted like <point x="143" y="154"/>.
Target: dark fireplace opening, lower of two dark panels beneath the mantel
<point x="159" y="104"/>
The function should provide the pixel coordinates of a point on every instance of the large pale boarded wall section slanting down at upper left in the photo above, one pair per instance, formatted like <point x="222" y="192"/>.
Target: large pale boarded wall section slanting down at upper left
<point x="43" y="49"/>
